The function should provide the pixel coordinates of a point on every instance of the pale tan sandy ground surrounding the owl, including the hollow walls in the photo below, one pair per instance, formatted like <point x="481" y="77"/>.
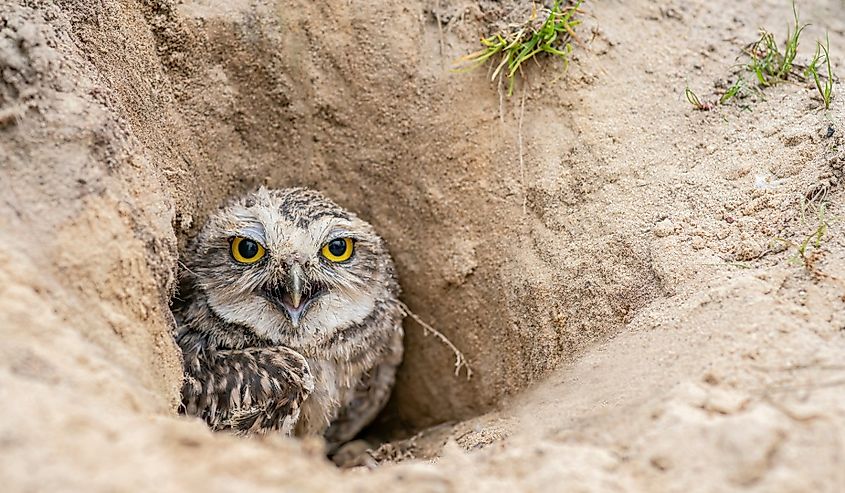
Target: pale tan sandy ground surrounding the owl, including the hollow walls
<point x="621" y="296"/>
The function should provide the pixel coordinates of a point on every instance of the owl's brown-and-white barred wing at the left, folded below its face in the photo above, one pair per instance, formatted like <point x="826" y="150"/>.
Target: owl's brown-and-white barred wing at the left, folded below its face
<point x="246" y="390"/>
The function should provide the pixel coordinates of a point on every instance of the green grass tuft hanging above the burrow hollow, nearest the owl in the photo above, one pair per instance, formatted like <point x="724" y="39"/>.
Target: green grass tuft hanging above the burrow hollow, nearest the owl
<point x="522" y="43"/>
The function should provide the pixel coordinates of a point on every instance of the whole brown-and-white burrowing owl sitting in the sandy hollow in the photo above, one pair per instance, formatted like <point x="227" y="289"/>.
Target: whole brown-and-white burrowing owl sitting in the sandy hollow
<point x="289" y="318"/>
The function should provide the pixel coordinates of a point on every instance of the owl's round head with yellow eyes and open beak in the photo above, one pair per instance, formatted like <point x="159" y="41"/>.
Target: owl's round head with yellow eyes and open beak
<point x="290" y="266"/>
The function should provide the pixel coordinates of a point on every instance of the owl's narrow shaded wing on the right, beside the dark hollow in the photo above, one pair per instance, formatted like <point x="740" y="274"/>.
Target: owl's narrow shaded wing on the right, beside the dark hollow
<point x="368" y="397"/>
